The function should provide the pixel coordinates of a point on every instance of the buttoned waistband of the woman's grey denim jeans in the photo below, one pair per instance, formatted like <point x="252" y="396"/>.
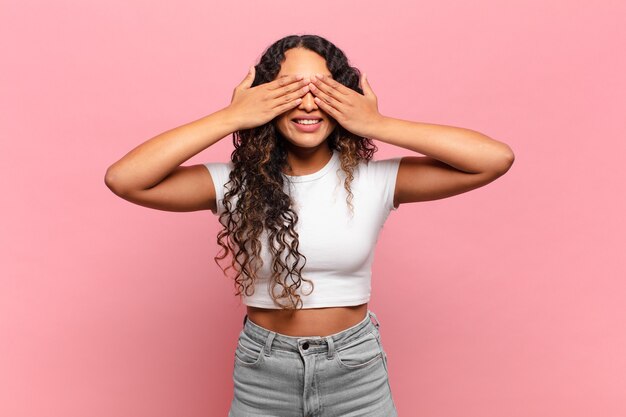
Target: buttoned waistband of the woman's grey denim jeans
<point x="308" y="344"/>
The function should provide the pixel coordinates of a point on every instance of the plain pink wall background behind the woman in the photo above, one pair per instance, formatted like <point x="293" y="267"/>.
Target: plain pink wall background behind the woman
<point x="509" y="300"/>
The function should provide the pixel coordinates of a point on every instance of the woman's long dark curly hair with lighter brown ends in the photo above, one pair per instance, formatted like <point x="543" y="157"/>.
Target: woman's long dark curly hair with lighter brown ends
<point x="256" y="184"/>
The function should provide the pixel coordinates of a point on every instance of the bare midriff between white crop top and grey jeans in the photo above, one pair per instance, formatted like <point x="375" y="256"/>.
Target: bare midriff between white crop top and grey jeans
<point x="308" y="322"/>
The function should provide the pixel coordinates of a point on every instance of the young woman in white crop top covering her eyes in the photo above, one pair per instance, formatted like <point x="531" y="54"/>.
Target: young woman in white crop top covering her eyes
<point x="301" y="203"/>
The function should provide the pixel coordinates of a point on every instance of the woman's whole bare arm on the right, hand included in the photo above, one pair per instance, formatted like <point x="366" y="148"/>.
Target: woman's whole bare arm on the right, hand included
<point x="457" y="159"/>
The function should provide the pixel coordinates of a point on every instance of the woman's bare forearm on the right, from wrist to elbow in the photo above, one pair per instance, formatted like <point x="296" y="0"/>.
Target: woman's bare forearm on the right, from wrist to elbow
<point x="463" y="149"/>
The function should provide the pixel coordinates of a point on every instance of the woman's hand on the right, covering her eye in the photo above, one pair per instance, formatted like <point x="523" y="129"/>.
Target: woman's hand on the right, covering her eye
<point x="355" y="112"/>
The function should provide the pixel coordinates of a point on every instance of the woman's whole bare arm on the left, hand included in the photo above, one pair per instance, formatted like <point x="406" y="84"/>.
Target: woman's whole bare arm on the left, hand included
<point x="151" y="175"/>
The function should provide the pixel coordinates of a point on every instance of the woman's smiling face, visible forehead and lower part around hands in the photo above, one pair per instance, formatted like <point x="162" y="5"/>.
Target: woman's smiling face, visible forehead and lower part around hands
<point x="308" y="63"/>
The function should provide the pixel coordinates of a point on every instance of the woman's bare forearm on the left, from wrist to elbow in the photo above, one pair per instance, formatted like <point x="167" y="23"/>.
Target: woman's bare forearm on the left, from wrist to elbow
<point x="152" y="161"/>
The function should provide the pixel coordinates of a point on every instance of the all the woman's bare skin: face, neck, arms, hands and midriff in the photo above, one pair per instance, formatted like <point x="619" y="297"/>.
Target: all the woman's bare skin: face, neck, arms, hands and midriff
<point x="456" y="160"/>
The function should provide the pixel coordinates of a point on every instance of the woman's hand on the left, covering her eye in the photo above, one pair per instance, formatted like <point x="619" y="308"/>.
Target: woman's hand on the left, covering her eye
<point x="252" y="107"/>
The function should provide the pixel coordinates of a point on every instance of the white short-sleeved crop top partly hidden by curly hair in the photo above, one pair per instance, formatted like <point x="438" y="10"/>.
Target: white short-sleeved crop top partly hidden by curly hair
<point x="339" y="249"/>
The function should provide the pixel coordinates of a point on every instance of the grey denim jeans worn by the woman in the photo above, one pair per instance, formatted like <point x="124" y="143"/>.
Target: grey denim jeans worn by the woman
<point x="340" y="375"/>
